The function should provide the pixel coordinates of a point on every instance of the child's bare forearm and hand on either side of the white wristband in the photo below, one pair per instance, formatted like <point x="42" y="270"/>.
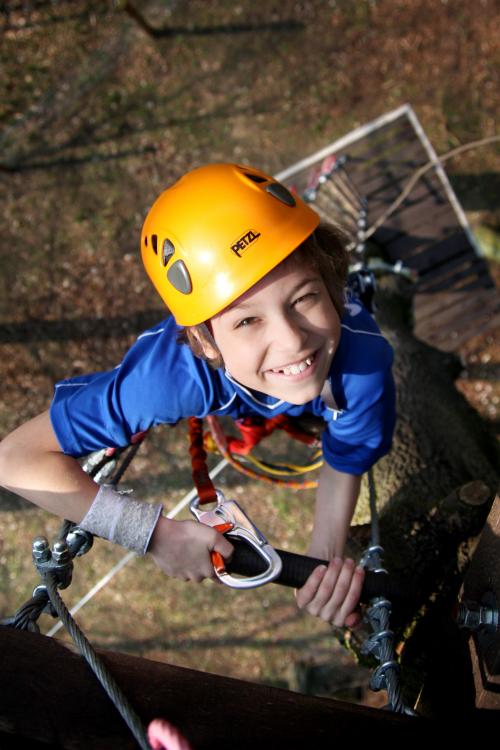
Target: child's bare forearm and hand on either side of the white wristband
<point x="33" y="466"/>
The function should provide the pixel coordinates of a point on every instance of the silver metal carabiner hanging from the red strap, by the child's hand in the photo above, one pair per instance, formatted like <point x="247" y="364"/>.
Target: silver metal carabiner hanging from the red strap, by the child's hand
<point x="229" y="512"/>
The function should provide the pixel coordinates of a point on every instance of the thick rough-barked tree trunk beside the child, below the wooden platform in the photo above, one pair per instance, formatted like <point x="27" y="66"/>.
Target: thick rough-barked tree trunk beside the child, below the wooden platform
<point x="434" y="490"/>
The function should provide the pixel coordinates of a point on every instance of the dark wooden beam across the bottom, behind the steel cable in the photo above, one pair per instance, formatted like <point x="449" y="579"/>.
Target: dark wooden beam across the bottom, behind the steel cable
<point x="49" y="695"/>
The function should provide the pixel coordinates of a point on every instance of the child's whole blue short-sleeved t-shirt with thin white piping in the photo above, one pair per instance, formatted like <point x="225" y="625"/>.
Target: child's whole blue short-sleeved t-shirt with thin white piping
<point x="161" y="381"/>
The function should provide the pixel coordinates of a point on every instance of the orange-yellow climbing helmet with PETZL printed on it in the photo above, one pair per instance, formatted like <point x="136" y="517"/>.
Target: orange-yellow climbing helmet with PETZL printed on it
<point x="215" y="233"/>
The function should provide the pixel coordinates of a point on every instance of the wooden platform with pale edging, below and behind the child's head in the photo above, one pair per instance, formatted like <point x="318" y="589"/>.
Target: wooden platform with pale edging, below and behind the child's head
<point x="455" y="296"/>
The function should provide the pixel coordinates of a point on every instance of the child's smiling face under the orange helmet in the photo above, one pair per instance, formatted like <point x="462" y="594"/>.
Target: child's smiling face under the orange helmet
<point x="279" y="338"/>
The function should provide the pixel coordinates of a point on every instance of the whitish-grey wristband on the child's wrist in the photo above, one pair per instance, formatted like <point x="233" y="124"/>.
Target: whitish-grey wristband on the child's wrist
<point x="115" y="516"/>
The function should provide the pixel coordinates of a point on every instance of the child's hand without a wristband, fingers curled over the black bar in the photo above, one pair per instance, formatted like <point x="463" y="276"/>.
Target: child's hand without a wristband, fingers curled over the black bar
<point x="333" y="592"/>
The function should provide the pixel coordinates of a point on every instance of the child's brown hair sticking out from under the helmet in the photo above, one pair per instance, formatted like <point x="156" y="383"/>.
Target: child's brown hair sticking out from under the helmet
<point x="324" y="251"/>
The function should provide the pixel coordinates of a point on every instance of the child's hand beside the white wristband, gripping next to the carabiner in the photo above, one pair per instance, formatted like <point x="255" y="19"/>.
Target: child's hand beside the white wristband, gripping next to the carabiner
<point x="182" y="548"/>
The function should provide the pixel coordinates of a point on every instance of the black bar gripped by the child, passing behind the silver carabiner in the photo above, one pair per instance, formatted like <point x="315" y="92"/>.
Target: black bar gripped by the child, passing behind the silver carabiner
<point x="297" y="569"/>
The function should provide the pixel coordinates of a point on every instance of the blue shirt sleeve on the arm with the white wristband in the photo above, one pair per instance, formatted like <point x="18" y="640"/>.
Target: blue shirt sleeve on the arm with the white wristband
<point x="159" y="381"/>
